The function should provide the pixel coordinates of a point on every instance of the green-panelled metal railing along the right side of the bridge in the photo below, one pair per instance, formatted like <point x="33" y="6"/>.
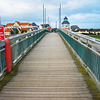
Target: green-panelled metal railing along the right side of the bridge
<point x="88" y="53"/>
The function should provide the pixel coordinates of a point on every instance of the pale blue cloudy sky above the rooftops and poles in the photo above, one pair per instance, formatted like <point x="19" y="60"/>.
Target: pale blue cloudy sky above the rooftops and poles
<point x="84" y="13"/>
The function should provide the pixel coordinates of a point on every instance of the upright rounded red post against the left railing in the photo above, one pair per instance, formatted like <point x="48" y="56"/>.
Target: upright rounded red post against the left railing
<point x="8" y="56"/>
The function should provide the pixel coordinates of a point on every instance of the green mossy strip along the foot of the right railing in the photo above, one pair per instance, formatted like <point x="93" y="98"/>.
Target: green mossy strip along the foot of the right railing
<point x="91" y="85"/>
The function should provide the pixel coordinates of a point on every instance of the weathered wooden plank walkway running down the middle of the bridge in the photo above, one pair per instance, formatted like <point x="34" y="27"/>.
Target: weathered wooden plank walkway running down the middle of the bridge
<point x="47" y="73"/>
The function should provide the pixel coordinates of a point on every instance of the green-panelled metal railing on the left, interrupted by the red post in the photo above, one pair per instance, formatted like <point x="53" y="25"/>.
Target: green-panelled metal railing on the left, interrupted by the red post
<point x="20" y="45"/>
